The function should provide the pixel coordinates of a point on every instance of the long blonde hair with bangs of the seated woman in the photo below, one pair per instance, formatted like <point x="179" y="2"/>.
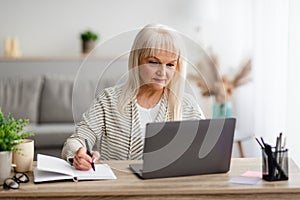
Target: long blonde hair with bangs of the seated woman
<point x="150" y="40"/>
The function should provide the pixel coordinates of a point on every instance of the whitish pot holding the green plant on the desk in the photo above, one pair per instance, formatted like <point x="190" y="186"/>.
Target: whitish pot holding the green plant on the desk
<point x="5" y="165"/>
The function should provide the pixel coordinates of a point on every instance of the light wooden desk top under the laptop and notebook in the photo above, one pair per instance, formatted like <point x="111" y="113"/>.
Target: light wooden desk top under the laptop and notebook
<point x="129" y="186"/>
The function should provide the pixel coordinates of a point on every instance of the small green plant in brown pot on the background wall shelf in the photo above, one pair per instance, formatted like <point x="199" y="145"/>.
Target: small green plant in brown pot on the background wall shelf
<point x="88" y="39"/>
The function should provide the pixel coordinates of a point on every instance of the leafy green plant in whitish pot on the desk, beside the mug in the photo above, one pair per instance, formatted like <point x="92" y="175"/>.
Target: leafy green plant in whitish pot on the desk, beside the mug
<point x="11" y="134"/>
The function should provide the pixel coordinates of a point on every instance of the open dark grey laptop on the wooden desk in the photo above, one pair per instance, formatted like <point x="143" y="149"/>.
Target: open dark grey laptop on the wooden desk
<point x="182" y="148"/>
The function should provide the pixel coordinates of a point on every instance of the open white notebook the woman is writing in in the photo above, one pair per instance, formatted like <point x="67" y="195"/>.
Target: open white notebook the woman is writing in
<point x="51" y="168"/>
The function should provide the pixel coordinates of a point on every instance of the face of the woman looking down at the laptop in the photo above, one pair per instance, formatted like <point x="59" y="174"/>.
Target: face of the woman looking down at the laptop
<point x="157" y="71"/>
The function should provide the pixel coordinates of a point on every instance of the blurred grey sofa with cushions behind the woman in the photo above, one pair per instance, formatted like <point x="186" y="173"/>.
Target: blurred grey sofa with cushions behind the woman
<point x="51" y="103"/>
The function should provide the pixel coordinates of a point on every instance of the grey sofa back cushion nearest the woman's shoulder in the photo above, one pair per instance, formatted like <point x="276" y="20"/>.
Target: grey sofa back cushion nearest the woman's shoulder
<point x="62" y="100"/>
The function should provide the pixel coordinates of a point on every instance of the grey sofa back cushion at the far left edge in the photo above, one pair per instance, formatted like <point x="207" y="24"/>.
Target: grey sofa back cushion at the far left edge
<point x="20" y="96"/>
